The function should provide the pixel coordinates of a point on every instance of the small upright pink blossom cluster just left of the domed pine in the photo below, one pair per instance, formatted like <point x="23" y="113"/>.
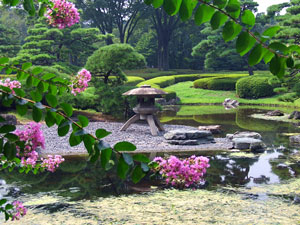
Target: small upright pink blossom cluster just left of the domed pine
<point x="80" y="82"/>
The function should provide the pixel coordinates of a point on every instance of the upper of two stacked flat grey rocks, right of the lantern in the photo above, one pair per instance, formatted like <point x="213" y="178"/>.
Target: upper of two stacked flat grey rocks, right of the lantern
<point x="183" y="134"/>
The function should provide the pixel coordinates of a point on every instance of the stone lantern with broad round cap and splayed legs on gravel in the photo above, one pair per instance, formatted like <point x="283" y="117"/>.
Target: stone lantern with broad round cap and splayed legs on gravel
<point x="146" y="109"/>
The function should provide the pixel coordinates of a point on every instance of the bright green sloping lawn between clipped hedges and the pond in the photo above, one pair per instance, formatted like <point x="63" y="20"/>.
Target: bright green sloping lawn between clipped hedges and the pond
<point x="190" y="95"/>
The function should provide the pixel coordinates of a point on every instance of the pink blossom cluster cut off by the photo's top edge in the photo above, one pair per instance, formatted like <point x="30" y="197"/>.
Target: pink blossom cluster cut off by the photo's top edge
<point x="63" y="14"/>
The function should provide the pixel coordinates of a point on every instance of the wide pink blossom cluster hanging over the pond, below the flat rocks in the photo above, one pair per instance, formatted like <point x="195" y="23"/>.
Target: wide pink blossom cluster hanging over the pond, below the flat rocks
<point x="182" y="173"/>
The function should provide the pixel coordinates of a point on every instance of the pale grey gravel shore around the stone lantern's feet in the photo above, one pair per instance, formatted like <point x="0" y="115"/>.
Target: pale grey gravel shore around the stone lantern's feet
<point x="138" y="134"/>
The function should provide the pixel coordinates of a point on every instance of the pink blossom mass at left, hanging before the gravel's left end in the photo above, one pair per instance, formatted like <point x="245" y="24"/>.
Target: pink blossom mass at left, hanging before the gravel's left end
<point x="34" y="138"/>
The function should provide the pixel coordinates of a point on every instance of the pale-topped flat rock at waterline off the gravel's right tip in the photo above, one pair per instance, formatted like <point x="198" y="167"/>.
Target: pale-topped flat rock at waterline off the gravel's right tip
<point x="248" y="143"/>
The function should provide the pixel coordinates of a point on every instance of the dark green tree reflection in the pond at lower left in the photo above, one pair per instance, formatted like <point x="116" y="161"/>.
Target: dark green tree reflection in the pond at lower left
<point x="84" y="179"/>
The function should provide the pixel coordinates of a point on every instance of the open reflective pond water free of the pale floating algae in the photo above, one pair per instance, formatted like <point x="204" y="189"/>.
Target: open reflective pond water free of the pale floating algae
<point x="78" y="180"/>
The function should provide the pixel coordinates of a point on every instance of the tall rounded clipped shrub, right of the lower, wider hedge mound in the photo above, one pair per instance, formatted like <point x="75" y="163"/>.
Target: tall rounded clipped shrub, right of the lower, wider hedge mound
<point x="254" y="87"/>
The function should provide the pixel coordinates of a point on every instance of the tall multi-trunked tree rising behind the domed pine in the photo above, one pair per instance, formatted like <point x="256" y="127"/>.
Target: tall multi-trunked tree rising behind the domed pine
<point x="107" y="15"/>
